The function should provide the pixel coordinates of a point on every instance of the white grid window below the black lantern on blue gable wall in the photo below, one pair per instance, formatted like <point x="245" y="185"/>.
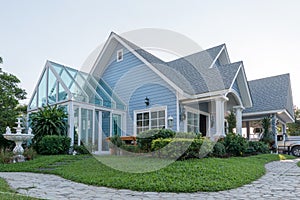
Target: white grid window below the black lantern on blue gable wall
<point x="147" y="120"/>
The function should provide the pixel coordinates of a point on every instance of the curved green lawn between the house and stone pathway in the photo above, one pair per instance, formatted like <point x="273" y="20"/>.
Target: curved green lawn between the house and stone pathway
<point x="208" y="174"/>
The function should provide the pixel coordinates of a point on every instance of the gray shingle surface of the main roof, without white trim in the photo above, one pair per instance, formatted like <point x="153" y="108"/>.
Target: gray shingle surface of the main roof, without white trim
<point x="192" y="73"/>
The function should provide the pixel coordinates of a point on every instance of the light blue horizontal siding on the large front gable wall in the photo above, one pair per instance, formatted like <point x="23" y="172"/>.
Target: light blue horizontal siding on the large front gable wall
<point x="132" y="81"/>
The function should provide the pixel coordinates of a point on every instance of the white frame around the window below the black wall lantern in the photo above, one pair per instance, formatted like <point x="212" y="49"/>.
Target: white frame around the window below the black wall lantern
<point x="154" y="109"/>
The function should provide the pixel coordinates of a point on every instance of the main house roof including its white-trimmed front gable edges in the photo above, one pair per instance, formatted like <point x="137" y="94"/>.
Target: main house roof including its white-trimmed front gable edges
<point x="195" y="74"/>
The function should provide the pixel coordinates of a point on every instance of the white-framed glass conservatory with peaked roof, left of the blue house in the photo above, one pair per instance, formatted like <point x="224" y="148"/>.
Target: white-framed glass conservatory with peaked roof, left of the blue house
<point x="94" y="111"/>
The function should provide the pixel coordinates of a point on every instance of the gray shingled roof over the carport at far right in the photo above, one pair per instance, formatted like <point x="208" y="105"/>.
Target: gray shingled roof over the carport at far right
<point x="271" y="93"/>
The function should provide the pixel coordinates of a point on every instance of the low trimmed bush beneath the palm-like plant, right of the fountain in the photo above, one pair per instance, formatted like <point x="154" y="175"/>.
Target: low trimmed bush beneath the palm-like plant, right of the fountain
<point x="53" y="145"/>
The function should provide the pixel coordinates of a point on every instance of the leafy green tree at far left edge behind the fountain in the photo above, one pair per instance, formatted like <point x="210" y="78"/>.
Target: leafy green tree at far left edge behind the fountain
<point x="10" y="94"/>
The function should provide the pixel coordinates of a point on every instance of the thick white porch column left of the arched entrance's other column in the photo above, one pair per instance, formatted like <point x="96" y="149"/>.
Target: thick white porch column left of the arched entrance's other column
<point x="220" y="116"/>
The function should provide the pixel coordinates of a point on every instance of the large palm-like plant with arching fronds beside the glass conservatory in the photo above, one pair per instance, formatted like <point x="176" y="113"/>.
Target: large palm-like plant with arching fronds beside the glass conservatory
<point x="50" y="120"/>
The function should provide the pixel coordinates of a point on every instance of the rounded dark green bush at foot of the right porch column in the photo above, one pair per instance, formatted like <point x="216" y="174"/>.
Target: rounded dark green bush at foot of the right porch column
<point x="235" y="144"/>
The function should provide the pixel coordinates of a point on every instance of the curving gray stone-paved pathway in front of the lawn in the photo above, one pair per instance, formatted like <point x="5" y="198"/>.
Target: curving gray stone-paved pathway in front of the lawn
<point x="282" y="180"/>
